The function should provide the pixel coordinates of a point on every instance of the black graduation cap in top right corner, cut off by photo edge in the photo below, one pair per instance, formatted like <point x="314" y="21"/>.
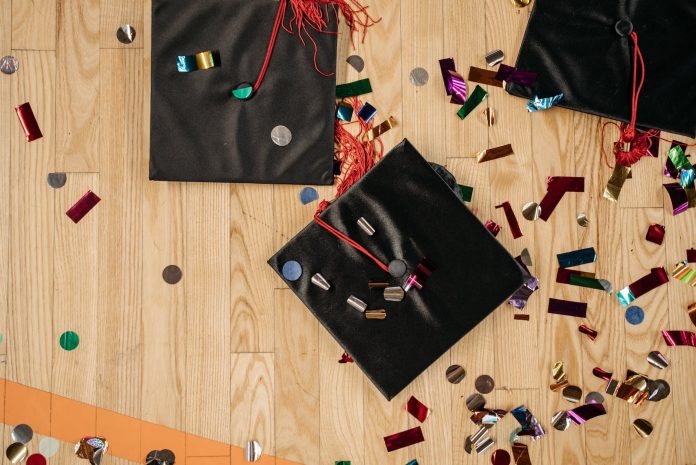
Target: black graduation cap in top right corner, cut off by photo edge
<point x="585" y="51"/>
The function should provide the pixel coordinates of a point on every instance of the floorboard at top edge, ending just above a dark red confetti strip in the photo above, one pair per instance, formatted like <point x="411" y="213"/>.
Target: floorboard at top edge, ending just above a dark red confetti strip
<point x="77" y="82"/>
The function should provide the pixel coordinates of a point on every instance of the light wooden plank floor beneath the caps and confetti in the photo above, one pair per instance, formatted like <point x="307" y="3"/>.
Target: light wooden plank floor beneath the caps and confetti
<point x="229" y="353"/>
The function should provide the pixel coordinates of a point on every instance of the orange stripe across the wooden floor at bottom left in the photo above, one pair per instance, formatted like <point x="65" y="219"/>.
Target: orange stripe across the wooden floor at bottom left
<point x="129" y="438"/>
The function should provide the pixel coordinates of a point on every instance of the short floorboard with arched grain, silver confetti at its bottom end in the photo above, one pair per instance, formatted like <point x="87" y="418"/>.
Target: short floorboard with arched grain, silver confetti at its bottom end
<point x="252" y="394"/>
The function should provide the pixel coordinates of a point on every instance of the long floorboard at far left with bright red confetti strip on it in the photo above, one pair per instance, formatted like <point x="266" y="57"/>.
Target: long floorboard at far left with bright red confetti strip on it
<point x="31" y="218"/>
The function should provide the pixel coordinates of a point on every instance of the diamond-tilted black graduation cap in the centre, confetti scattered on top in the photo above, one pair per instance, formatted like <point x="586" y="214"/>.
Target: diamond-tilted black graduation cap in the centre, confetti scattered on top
<point x="418" y="220"/>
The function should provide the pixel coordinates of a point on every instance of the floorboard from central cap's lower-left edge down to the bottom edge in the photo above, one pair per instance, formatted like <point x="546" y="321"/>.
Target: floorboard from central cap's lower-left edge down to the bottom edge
<point x="297" y="380"/>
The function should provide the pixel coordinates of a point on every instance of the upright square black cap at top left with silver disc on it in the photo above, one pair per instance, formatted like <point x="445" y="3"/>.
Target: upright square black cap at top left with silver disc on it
<point x="200" y="132"/>
